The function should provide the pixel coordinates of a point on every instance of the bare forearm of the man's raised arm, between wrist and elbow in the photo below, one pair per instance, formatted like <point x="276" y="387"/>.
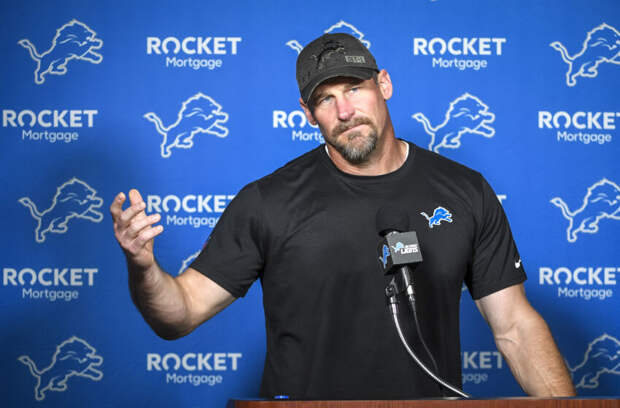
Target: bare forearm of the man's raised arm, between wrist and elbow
<point x="160" y="300"/>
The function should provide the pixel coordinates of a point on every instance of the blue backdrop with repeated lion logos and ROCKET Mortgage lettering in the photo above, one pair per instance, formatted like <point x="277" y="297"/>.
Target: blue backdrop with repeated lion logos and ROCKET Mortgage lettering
<point x="100" y="97"/>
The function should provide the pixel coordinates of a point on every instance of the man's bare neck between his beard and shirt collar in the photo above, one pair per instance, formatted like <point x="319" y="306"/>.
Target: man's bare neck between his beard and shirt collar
<point x="388" y="156"/>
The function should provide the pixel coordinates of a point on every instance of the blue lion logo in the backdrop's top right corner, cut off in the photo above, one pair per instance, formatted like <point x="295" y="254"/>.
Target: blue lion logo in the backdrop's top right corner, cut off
<point x="602" y="44"/>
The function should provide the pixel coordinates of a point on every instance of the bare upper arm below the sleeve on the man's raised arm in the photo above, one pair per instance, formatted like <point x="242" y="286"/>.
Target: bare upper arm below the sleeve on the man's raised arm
<point x="204" y="297"/>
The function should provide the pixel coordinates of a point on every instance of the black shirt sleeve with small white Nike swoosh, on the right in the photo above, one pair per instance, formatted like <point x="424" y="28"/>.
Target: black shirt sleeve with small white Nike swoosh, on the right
<point x="496" y="262"/>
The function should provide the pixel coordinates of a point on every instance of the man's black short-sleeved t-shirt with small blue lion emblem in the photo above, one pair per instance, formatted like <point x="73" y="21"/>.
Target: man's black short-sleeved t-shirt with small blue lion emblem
<point x="308" y="232"/>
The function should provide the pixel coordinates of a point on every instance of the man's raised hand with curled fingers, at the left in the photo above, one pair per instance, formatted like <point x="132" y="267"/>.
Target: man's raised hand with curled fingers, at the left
<point x="134" y="229"/>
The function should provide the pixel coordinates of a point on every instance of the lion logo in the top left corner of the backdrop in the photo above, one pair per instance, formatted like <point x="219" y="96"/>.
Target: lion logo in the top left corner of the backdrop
<point x="74" y="40"/>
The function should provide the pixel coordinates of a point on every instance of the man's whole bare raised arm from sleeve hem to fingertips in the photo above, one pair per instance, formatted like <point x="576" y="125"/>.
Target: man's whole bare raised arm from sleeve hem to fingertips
<point x="172" y="306"/>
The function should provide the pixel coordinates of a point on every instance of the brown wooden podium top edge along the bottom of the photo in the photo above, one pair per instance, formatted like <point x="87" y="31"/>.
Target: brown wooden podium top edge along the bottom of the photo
<point x="575" y="402"/>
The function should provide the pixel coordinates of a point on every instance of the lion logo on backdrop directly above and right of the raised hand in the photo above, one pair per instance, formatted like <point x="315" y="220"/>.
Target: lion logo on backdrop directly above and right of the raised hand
<point x="198" y="114"/>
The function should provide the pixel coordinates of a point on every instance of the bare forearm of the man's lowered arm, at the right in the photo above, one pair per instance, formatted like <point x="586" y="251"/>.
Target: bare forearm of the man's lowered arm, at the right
<point x="534" y="358"/>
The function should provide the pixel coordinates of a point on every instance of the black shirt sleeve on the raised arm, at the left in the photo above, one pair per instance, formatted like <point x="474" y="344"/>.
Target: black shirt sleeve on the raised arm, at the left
<point x="233" y="256"/>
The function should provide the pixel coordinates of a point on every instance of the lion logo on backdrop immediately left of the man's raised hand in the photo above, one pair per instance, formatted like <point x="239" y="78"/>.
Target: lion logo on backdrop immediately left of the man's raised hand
<point x="73" y="199"/>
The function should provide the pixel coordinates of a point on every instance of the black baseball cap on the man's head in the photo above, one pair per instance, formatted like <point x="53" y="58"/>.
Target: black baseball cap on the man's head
<point x="329" y="56"/>
